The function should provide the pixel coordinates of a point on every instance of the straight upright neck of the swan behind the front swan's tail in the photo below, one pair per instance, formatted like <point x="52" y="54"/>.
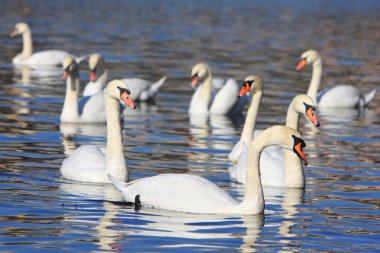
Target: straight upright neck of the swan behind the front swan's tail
<point x="115" y="151"/>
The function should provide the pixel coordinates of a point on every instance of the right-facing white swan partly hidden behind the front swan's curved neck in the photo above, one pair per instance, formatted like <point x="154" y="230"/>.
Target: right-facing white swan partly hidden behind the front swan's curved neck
<point x="278" y="167"/>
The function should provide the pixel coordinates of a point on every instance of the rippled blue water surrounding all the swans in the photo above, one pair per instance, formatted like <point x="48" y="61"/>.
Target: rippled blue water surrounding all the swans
<point x="337" y="212"/>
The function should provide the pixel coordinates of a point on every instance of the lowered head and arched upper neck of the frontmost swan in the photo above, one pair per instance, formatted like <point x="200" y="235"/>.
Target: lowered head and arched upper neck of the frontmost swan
<point x="283" y="136"/>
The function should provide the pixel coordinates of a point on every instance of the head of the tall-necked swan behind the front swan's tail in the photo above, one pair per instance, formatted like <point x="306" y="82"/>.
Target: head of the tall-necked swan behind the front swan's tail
<point x="117" y="89"/>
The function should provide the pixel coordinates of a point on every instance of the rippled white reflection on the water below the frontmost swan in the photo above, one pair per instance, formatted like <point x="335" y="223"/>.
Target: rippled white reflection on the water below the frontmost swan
<point x="120" y="226"/>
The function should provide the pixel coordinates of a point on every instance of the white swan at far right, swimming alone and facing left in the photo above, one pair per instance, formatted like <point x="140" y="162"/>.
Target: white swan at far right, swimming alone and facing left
<point x="337" y="96"/>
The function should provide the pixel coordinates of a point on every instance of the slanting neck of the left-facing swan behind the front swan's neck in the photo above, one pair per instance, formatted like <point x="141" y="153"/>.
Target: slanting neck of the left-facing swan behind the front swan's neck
<point x="250" y="119"/>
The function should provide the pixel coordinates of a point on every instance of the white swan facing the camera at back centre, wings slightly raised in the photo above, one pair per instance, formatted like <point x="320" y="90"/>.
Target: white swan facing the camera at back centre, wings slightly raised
<point x="222" y="103"/>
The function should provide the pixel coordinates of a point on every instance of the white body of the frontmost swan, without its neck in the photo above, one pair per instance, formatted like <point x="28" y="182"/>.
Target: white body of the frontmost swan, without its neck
<point x="177" y="192"/>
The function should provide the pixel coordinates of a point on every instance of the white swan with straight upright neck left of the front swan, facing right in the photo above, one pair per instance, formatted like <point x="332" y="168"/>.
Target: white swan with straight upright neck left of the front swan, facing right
<point x="91" y="164"/>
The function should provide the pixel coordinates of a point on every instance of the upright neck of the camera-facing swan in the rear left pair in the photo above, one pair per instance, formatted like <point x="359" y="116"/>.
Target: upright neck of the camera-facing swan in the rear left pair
<point x="70" y="106"/>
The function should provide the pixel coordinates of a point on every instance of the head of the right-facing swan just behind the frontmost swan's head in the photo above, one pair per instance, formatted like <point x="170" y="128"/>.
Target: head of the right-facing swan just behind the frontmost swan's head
<point x="304" y="104"/>
